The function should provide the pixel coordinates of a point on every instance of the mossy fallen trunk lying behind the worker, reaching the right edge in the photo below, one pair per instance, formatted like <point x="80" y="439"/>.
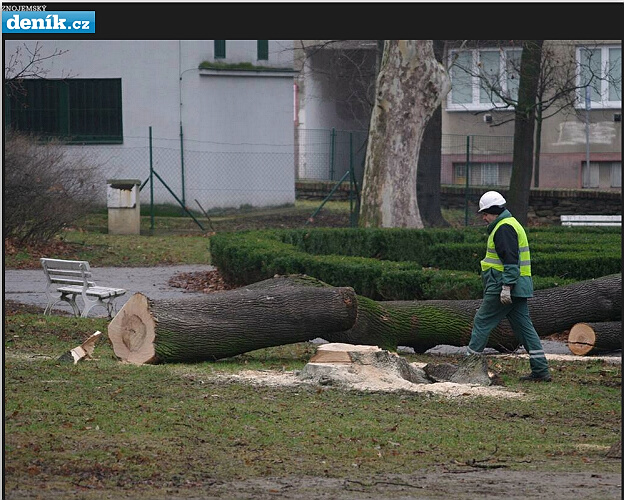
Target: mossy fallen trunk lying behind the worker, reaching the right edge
<point x="426" y="324"/>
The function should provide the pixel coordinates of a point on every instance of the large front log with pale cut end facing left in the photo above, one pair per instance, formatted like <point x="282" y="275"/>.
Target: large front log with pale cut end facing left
<point x="224" y="324"/>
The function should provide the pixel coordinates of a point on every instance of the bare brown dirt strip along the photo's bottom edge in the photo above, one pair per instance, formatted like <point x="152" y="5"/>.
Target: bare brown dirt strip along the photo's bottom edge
<point x="460" y="482"/>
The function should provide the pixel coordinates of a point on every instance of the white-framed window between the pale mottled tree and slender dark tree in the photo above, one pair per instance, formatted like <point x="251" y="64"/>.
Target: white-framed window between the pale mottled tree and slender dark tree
<point x="483" y="79"/>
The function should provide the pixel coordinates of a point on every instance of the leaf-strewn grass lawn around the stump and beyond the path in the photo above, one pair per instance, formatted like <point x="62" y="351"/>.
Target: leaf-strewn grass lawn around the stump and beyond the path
<point x="103" y="429"/>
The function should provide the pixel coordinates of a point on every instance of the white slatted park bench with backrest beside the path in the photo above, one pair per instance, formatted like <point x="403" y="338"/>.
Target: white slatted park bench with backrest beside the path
<point x="68" y="279"/>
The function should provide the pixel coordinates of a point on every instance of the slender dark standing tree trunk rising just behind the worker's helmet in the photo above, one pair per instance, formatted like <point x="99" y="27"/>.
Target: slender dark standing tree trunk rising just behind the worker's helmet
<point x="524" y="130"/>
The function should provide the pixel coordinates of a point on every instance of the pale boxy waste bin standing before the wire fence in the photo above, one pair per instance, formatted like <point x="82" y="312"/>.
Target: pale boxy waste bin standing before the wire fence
<point x="124" y="207"/>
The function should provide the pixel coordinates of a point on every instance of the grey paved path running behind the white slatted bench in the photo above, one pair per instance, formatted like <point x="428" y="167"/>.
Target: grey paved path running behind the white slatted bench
<point x="27" y="286"/>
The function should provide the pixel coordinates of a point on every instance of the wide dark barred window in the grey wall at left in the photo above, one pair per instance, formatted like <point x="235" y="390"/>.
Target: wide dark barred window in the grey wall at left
<point x="75" y="110"/>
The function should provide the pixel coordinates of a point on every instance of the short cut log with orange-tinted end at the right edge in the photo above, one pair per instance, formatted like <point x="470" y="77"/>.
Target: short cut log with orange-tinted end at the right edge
<point x="595" y="338"/>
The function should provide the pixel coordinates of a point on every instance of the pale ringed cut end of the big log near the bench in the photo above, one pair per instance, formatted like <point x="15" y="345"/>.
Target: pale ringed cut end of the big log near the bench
<point x="132" y="331"/>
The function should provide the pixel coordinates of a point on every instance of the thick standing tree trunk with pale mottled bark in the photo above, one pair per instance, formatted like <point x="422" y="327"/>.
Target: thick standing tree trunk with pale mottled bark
<point x="410" y="86"/>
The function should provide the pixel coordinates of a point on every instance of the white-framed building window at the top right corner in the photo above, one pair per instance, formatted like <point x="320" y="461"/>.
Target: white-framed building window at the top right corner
<point x="600" y="70"/>
